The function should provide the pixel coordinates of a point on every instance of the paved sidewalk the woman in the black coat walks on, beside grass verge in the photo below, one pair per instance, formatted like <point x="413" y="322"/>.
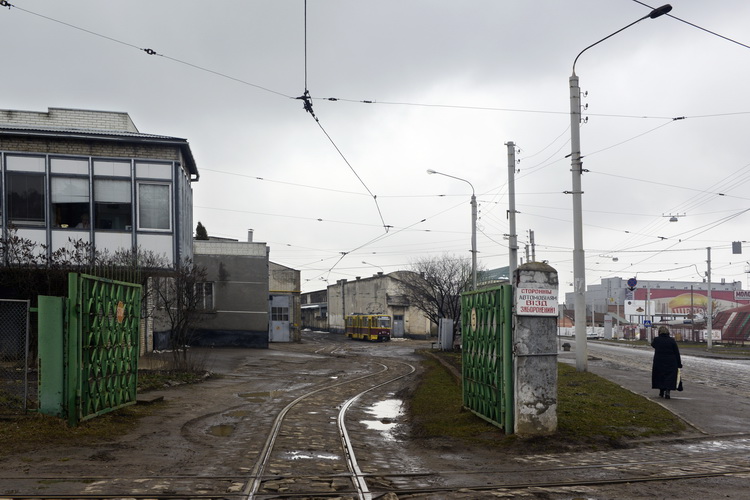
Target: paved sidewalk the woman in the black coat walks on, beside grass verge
<point x="712" y="412"/>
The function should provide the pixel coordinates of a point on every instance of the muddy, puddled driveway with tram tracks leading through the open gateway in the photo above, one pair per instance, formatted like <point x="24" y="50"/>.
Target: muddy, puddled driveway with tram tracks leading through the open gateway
<point x="271" y="427"/>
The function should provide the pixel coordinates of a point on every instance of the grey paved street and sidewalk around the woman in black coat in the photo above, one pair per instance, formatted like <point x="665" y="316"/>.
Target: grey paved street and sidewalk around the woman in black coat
<point x="716" y="399"/>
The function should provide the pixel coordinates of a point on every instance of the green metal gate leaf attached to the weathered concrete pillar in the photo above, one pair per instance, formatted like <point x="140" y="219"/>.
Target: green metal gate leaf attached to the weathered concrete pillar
<point x="487" y="364"/>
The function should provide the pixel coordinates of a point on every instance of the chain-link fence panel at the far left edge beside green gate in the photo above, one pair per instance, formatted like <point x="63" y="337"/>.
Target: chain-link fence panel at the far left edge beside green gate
<point x="18" y="376"/>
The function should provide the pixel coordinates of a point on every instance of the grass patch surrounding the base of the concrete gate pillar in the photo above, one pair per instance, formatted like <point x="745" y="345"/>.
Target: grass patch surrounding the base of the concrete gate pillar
<point x="593" y="413"/>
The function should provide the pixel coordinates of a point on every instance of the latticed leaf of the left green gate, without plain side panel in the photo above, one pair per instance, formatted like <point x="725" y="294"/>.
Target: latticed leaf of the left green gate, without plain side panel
<point x="107" y="326"/>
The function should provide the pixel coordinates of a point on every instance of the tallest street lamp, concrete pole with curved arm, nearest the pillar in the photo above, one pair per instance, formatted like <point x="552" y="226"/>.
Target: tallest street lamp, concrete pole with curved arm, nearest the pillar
<point x="579" y="262"/>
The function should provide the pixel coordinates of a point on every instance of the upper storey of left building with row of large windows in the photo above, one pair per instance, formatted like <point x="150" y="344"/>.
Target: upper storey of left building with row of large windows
<point x="69" y="174"/>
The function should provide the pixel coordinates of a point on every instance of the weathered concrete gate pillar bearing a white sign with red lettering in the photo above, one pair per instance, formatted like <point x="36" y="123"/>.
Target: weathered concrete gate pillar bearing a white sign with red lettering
<point x="535" y="288"/>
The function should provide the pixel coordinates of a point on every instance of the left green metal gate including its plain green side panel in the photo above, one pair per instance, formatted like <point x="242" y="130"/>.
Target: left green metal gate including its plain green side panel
<point x="88" y="348"/>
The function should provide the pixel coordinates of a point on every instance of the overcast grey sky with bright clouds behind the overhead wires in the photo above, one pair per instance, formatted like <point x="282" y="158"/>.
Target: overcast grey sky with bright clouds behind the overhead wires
<point x="419" y="85"/>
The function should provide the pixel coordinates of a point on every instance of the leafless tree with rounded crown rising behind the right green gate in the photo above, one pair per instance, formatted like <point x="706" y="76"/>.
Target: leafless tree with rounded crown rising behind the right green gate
<point x="434" y="286"/>
